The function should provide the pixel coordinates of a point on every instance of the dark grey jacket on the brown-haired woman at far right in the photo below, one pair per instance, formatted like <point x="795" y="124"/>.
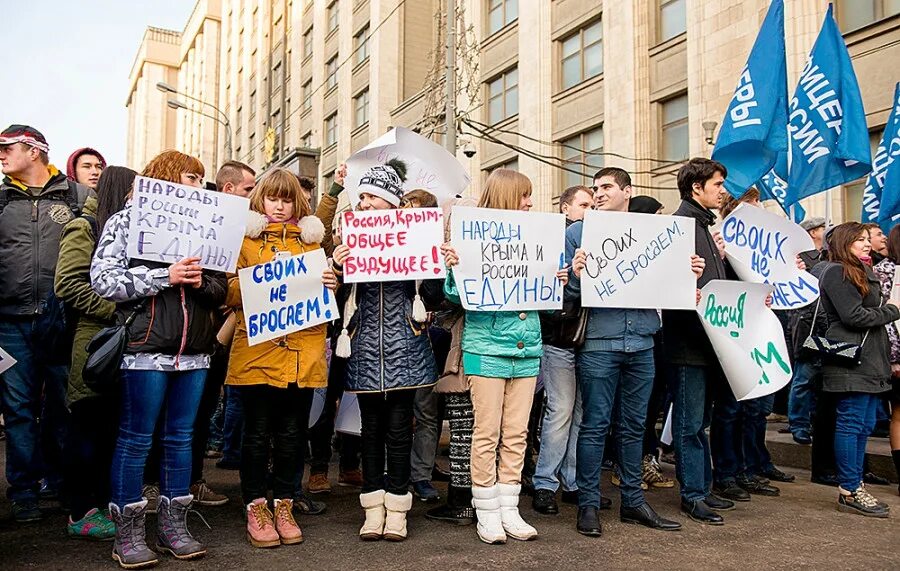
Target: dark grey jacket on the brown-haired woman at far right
<point x="850" y="317"/>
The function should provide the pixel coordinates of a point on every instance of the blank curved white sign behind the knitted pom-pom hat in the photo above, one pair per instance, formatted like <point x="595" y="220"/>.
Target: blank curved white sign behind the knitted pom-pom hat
<point x="430" y="166"/>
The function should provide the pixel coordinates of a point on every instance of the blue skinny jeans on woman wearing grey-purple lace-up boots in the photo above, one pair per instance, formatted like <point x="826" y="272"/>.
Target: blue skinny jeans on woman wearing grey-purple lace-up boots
<point x="172" y="398"/>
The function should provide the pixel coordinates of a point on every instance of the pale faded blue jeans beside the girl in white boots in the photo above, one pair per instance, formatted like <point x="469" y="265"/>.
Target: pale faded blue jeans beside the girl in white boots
<point x="562" y="417"/>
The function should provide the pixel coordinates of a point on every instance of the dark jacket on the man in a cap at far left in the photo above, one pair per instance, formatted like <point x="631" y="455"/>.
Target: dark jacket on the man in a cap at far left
<point x="31" y="222"/>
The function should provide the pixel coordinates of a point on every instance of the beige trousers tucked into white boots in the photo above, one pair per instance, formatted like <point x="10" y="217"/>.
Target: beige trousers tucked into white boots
<point x="502" y="407"/>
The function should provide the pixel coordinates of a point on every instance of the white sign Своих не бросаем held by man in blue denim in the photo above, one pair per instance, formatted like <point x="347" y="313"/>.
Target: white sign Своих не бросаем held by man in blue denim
<point x="638" y="261"/>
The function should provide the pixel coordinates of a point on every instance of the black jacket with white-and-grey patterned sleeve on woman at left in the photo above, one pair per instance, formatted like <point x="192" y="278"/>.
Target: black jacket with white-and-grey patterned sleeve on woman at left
<point x="171" y="321"/>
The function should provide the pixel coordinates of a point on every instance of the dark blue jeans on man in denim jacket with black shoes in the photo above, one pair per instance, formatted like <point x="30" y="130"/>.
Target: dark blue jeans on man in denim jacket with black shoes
<point x="605" y="377"/>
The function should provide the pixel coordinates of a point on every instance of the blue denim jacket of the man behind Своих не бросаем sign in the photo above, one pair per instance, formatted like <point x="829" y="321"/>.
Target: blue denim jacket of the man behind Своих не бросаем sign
<point x="609" y="329"/>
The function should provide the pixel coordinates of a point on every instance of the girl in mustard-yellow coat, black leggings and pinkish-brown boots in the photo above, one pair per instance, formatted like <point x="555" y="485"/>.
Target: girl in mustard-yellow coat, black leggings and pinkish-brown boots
<point x="275" y="378"/>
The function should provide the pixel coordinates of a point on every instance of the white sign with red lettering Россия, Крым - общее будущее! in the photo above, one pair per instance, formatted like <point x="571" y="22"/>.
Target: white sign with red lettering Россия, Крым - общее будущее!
<point x="391" y="245"/>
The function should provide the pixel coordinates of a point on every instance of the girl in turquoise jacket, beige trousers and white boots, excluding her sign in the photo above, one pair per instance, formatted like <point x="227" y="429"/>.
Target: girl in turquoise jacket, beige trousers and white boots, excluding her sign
<point x="501" y="357"/>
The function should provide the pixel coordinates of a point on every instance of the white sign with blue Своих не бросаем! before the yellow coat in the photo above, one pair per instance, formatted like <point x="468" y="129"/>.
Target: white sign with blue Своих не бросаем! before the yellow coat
<point x="285" y="295"/>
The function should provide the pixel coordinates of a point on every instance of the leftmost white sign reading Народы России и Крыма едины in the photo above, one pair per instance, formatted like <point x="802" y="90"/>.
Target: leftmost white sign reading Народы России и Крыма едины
<point x="170" y="222"/>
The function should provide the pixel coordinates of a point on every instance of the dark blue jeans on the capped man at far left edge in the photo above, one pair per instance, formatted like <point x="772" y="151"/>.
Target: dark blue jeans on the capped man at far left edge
<point x="34" y="389"/>
